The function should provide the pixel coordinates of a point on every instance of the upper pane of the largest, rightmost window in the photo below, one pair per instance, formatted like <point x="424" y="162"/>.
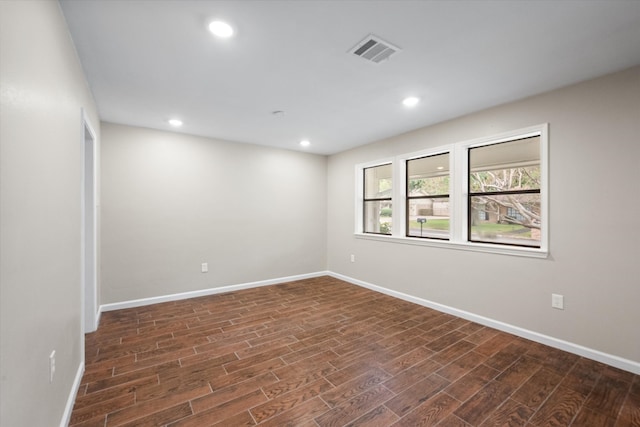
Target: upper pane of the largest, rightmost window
<point x="508" y="166"/>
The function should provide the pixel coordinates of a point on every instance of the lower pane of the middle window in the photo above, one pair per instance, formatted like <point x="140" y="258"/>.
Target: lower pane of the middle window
<point x="429" y="218"/>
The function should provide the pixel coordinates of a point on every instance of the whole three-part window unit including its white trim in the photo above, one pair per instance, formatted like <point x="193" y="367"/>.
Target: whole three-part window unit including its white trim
<point x="485" y="195"/>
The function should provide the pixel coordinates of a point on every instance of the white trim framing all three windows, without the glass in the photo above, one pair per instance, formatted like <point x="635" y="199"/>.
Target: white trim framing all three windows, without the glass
<point x="459" y="179"/>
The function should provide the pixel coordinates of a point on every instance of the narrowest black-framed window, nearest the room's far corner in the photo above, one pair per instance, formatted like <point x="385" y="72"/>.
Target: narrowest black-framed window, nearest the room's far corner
<point x="377" y="200"/>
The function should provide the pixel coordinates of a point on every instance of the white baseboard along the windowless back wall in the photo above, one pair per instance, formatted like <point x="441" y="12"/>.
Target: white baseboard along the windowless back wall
<point x="204" y="292"/>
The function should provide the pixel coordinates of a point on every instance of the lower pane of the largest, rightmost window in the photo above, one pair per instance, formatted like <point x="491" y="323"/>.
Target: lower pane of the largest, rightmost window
<point x="508" y="219"/>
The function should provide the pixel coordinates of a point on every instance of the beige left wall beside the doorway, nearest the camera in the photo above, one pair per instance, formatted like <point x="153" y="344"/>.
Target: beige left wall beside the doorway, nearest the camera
<point x="42" y="92"/>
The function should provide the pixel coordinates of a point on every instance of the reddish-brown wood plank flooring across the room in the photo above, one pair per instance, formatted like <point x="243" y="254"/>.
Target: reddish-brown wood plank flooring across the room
<point x="323" y="352"/>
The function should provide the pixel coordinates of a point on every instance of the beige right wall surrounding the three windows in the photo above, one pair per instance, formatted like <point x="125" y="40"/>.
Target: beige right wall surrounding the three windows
<point x="594" y="232"/>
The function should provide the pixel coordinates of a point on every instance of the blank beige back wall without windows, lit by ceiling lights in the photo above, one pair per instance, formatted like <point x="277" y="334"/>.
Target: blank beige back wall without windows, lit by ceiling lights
<point x="172" y="201"/>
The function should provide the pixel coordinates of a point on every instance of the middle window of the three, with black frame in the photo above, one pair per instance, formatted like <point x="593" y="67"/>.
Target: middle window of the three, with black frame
<point x="428" y="197"/>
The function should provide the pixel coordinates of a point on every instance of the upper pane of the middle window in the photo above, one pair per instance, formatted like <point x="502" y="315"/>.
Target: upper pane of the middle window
<point x="428" y="176"/>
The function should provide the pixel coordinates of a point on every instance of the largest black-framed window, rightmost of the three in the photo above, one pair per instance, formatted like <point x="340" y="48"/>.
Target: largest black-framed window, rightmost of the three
<point x="504" y="193"/>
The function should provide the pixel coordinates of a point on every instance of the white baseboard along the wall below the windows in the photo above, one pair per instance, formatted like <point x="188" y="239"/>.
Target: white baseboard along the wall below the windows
<point x="589" y="353"/>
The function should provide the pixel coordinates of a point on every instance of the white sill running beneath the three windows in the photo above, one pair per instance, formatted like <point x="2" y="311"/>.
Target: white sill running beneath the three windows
<point x="462" y="246"/>
